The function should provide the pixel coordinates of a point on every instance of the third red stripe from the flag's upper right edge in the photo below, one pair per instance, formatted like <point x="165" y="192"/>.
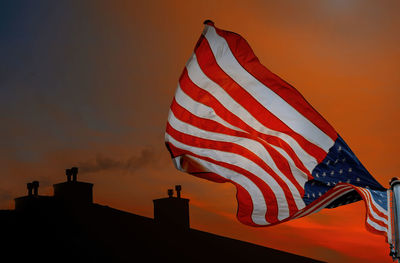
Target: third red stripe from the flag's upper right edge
<point x="207" y="99"/>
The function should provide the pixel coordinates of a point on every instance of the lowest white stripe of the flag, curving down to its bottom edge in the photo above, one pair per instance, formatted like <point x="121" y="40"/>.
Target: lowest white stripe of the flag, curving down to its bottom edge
<point x="259" y="206"/>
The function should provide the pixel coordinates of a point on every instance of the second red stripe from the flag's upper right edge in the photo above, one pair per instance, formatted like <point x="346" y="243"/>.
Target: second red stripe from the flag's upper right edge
<point x="209" y="66"/>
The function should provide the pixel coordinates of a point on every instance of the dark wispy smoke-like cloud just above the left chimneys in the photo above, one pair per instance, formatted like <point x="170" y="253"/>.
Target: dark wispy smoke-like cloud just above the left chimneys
<point x="106" y="163"/>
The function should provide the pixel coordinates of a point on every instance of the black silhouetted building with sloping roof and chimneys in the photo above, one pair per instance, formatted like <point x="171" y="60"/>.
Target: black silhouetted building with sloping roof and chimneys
<point x="69" y="227"/>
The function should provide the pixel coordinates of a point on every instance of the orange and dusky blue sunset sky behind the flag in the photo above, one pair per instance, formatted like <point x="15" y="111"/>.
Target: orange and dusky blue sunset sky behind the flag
<point x="89" y="84"/>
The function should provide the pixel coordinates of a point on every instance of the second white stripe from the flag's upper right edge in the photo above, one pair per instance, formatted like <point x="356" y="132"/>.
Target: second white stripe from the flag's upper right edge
<point x="202" y="81"/>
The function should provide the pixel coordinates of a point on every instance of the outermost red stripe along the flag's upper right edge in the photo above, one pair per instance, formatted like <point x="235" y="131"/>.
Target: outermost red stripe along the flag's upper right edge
<point x="249" y="61"/>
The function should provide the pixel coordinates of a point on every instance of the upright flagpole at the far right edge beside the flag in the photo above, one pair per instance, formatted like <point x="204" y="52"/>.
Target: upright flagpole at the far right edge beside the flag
<point x="395" y="186"/>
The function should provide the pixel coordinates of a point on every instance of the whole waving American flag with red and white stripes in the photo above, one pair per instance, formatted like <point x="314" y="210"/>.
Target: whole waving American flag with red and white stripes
<point x="233" y="120"/>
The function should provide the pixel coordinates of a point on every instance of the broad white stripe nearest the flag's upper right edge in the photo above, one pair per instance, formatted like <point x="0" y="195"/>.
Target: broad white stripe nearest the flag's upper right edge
<point x="270" y="100"/>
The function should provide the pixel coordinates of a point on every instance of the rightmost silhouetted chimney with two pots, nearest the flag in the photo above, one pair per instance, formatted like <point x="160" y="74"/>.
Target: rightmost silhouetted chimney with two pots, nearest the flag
<point x="172" y="212"/>
